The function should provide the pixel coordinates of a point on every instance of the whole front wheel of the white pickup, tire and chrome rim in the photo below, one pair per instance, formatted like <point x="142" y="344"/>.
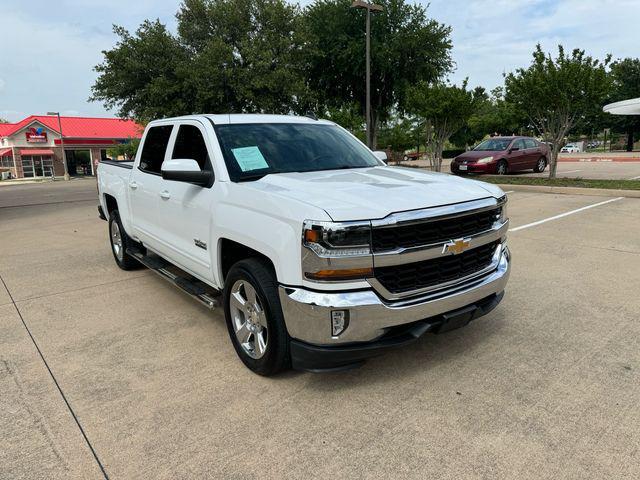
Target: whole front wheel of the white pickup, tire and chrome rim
<point x="254" y="317"/>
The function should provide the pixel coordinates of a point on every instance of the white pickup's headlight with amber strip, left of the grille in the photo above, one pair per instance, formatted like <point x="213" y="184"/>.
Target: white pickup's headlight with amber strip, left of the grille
<point x="336" y="251"/>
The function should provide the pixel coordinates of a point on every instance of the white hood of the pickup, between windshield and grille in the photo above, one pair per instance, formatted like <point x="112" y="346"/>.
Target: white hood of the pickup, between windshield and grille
<point x="370" y="193"/>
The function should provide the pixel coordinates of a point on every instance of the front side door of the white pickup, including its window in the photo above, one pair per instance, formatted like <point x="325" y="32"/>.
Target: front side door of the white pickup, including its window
<point x="184" y="209"/>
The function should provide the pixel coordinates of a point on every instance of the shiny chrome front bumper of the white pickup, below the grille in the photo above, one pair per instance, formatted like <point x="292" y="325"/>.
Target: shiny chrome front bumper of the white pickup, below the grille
<point x="307" y="313"/>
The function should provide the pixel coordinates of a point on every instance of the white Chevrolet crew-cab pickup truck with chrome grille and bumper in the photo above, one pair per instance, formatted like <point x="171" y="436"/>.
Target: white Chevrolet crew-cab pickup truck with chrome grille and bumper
<point x="320" y="254"/>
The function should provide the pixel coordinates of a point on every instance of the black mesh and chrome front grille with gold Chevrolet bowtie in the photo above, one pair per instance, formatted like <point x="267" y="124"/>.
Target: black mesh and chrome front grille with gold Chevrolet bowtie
<point x="412" y="254"/>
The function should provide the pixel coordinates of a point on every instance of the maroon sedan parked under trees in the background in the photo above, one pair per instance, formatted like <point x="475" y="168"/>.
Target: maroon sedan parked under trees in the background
<point x="502" y="155"/>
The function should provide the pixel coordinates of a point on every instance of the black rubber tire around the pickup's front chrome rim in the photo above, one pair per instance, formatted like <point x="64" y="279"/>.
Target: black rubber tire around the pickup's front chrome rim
<point x="260" y="275"/>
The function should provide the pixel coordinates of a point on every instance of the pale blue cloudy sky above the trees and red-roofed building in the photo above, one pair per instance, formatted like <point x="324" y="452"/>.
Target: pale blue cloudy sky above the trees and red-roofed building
<point x="48" y="49"/>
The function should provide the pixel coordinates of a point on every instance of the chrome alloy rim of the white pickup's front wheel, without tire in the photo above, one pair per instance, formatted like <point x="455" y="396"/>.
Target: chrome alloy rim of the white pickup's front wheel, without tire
<point x="249" y="319"/>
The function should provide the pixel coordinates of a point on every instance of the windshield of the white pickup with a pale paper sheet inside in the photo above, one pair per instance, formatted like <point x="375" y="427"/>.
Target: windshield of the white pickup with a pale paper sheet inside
<point x="253" y="150"/>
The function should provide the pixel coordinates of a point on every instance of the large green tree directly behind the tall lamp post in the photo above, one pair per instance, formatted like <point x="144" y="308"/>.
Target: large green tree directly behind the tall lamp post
<point x="406" y="46"/>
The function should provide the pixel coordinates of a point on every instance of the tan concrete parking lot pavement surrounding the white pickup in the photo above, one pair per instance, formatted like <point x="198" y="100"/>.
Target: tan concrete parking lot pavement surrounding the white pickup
<point x="546" y="386"/>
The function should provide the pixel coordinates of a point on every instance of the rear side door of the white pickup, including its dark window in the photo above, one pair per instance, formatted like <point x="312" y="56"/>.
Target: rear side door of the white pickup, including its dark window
<point x="145" y="184"/>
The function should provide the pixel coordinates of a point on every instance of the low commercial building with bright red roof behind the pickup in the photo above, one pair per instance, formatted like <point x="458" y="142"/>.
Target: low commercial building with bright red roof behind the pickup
<point x="32" y="147"/>
